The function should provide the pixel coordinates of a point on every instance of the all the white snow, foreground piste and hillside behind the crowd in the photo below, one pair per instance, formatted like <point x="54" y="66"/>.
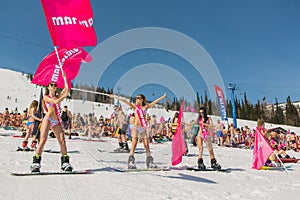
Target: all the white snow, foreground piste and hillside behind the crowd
<point x="103" y="183"/>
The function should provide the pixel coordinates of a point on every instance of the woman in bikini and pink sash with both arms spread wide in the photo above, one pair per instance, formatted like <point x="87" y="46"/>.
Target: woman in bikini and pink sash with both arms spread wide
<point x="139" y="127"/>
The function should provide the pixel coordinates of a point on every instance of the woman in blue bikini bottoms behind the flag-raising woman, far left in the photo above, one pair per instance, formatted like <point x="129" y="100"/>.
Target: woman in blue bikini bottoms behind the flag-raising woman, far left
<point x="31" y="118"/>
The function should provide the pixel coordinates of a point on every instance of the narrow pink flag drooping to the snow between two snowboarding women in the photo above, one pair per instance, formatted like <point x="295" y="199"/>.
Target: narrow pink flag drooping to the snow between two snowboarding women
<point x="178" y="144"/>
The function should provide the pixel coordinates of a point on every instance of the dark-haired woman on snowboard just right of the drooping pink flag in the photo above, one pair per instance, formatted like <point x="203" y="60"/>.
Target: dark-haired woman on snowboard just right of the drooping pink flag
<point x="205" y="124"/>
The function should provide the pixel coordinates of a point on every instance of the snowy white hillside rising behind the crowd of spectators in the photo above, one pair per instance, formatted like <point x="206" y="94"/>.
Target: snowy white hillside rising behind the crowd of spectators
<point x="22" y="92"/>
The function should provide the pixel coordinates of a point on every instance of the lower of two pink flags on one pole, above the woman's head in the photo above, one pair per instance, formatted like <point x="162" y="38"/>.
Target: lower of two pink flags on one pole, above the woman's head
<point x="49" y="70"/>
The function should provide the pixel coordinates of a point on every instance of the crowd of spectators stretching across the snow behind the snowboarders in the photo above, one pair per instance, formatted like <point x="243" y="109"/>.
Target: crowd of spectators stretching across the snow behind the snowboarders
<point x="160" y="130"/>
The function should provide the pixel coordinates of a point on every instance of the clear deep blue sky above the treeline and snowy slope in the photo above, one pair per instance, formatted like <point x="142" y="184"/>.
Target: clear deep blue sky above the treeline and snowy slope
<point x="255" y="44"/>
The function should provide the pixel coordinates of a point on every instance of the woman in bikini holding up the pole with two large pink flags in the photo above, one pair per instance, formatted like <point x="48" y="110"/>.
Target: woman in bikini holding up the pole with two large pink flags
<point x="52" y="120"/>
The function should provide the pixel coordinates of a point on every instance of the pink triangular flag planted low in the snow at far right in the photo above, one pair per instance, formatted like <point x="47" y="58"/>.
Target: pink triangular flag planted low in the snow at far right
<point x="261" y="151"/>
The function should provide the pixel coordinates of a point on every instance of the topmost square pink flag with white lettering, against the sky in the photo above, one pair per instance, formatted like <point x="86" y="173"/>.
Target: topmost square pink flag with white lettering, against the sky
<point x="70" y="22"/>
